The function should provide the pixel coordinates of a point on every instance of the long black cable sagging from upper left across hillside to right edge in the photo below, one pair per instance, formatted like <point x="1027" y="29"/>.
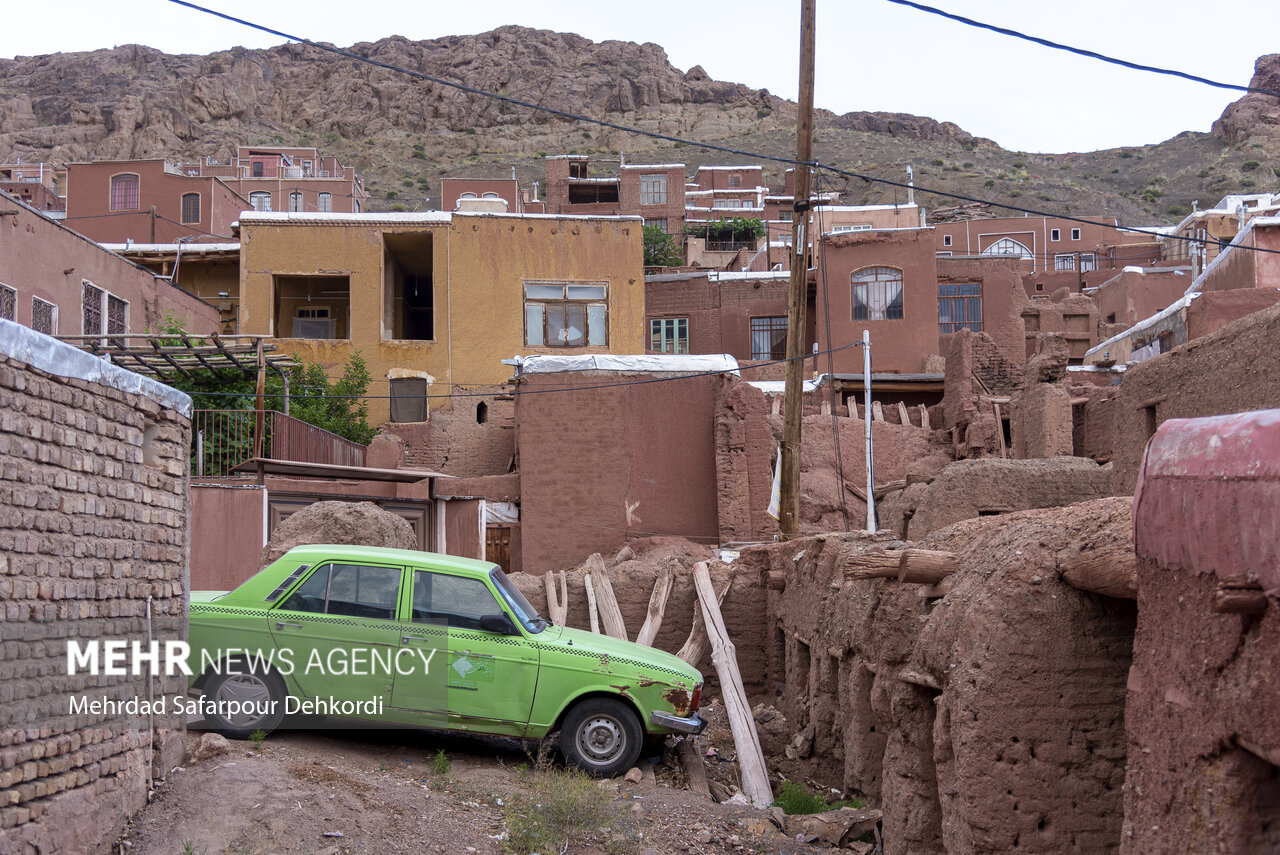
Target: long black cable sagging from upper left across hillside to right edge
<point x="655" y="135"/>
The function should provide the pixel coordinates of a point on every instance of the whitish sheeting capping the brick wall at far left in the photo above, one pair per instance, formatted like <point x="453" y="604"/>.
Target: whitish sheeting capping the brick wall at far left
<point x="60" y="359"/>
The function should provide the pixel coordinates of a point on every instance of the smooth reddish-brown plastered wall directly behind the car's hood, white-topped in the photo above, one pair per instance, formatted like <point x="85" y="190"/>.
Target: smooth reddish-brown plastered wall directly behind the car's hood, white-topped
<point x="598" y="467"/>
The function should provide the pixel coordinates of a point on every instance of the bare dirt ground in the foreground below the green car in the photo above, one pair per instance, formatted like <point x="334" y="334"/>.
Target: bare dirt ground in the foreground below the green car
<point x="380" y="790"/>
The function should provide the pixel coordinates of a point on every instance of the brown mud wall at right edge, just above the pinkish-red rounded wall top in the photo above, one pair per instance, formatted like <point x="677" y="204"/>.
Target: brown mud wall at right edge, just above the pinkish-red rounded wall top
<point x="1231" y="371"/>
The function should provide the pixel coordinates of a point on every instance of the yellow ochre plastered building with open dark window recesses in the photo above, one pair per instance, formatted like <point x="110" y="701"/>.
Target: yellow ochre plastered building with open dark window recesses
<point x="444" y="295"/>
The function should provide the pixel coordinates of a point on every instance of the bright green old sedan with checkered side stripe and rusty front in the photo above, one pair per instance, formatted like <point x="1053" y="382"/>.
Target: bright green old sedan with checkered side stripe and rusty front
<point x="427" y="641"/>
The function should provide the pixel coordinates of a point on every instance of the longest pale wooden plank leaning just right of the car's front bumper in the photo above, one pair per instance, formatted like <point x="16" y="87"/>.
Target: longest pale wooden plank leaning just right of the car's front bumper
<point x="747" y="742"/>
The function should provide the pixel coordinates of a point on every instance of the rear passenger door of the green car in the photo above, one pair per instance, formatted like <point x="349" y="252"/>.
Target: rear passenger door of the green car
<point x="340" y="632"/>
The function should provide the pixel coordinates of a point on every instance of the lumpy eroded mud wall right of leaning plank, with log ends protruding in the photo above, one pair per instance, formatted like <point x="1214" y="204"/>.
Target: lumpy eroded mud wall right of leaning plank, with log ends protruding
<point x="988" y="720"/>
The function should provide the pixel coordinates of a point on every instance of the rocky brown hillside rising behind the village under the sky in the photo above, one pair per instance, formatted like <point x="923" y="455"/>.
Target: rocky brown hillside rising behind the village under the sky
<point x="404" y="135"/>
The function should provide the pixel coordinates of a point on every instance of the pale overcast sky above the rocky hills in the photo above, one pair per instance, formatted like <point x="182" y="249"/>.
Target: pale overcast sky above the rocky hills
<point x="872" y="56"/>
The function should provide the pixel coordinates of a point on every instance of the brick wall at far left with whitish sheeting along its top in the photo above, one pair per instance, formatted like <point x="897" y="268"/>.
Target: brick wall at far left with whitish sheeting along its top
<point x="93" y="523"/>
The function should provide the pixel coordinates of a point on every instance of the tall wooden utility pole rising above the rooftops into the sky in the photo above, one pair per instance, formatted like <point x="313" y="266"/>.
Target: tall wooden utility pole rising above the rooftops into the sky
<point x="793" y="414"/>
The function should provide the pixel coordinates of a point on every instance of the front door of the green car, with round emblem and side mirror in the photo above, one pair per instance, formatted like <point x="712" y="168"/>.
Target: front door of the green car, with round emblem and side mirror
<point x="478" y="680"/>
